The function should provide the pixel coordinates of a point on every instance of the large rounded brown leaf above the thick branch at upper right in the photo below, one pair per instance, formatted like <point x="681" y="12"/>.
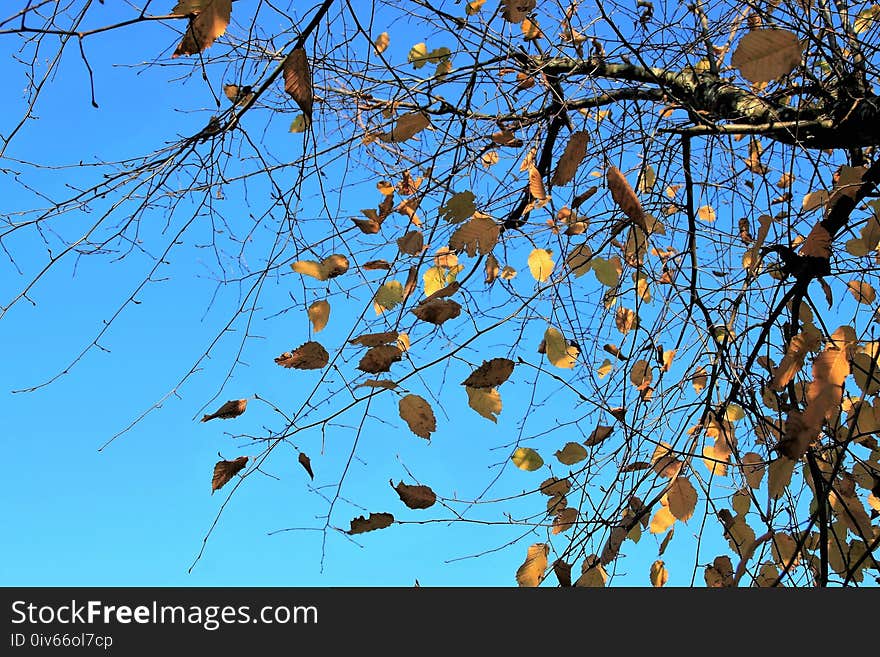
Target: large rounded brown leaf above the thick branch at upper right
<point x="763" y="55"/>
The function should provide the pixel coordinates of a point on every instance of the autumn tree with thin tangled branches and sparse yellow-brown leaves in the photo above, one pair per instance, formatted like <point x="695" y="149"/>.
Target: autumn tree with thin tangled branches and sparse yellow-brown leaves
<point x="639" y="239"/>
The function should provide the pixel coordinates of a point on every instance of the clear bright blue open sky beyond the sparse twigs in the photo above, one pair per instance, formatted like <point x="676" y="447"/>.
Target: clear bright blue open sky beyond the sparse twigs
<point x="136" y="513"/>
